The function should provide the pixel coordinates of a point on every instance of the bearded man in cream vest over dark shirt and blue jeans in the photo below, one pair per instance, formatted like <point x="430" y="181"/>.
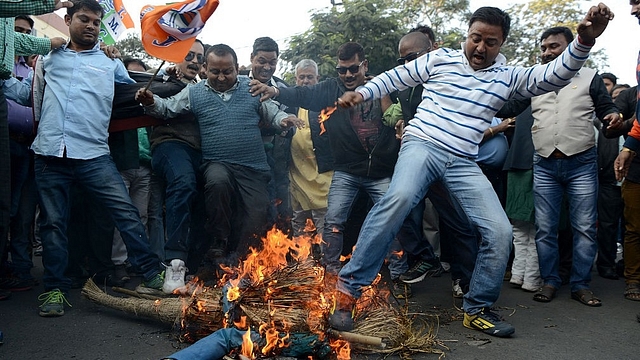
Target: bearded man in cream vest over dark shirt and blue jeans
<point x="566" y="161"/>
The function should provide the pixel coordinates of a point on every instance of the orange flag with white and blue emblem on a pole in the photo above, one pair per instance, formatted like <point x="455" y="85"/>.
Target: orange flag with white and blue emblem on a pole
<point x="169" y="31"/>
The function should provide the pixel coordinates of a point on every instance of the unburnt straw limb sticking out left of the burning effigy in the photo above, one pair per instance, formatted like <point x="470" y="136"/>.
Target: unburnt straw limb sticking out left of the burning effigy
<point x="166" y="310"/>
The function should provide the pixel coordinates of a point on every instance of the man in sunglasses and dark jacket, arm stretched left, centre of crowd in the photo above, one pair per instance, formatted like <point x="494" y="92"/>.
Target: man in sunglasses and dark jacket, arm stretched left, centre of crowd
<point x="364" y="149"/>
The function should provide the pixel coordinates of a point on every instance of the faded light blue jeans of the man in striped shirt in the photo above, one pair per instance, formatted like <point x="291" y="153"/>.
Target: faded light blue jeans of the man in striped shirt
<point x="420" y="163"/>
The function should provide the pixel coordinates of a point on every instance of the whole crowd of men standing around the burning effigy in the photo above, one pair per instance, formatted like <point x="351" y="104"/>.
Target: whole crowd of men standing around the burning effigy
<point x="464" y="160"/>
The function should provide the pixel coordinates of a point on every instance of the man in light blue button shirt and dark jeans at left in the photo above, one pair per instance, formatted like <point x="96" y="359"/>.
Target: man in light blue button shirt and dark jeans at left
<point x="71" y="148"/>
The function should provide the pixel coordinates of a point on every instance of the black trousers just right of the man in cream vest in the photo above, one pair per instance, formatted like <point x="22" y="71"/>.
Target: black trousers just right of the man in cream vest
<point x="610" y="208"/>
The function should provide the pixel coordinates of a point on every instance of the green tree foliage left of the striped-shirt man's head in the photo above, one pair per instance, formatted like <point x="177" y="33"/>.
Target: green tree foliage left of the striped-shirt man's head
<point x="378" y="26"/>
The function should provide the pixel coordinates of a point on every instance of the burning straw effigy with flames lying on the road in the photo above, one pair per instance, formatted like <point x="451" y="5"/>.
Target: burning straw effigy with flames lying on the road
<point x="276" y="303"/>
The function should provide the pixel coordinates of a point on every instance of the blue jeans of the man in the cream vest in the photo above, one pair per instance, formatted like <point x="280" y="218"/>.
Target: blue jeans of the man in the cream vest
<point x="577" y="176"/>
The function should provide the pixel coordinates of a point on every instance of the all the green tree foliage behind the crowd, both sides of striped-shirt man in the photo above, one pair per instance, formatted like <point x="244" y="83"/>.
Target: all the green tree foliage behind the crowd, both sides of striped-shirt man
<point x="378" y="25"/>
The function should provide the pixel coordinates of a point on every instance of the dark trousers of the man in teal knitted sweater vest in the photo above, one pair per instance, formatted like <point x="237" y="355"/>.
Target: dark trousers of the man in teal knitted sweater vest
<point x="236" y="201"/>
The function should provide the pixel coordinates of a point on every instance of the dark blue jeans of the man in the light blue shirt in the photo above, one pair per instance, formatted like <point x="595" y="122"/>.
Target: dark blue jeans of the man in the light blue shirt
<point x="99" y="176"/>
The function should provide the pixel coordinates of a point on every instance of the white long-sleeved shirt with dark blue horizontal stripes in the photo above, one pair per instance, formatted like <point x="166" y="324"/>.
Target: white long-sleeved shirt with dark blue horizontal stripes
<point x="458" y="102"/>
